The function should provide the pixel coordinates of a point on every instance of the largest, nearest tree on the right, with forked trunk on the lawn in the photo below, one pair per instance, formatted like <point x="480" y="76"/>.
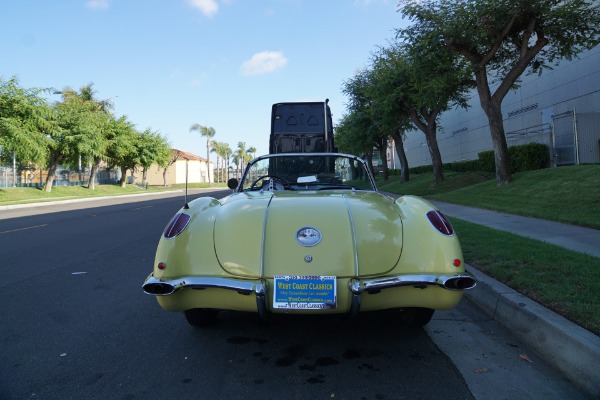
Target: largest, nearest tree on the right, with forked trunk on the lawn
<point x="501" y="39"/>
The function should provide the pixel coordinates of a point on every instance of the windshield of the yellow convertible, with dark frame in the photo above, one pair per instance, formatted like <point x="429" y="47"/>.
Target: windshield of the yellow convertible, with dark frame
<point x="307" y="172"/>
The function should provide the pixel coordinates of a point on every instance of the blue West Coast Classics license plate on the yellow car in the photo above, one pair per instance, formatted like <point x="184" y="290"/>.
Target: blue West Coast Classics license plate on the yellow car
<point x="304" y="292"/>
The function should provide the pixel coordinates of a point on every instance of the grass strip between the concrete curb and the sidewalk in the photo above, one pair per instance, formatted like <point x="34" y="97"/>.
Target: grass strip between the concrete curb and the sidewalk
<point x="562" y="280"/>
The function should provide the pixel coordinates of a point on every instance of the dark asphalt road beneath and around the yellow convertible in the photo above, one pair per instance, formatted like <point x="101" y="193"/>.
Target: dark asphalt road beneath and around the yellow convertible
<point x="75" y="324"/>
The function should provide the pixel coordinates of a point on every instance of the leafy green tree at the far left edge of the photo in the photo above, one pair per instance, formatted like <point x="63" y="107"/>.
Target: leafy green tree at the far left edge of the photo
<point x="23" y="122"/>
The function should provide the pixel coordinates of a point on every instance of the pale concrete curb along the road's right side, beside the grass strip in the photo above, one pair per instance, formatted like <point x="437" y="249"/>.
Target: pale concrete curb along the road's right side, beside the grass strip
<point x="572" y="350"/>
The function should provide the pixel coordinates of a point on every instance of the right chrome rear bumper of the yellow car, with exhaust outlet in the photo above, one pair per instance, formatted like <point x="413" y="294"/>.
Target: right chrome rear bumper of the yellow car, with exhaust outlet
<point x="454" y="282"/>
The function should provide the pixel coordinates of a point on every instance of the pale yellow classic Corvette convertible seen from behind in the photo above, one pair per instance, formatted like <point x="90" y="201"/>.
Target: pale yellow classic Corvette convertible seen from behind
<point x="308" y="233"/>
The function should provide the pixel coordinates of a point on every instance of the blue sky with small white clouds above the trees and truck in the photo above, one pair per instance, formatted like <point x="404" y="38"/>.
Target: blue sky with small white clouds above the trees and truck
<point x="167" y="64"/>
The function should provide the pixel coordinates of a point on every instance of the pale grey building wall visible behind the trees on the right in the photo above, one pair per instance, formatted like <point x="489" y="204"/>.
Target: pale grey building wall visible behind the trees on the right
<point x="560" y="108"/>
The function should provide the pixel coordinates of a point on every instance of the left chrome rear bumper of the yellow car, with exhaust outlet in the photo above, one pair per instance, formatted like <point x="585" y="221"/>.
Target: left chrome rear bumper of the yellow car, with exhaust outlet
<point x="159" y="287"/>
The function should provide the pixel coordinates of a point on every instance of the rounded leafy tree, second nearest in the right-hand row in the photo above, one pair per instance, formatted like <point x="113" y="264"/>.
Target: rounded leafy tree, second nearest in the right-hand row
<point x="418" y="80"/>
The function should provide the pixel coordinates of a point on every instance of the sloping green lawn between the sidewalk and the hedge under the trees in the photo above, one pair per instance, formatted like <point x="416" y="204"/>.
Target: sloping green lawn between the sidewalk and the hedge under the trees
<point x="566" y="194"/>
